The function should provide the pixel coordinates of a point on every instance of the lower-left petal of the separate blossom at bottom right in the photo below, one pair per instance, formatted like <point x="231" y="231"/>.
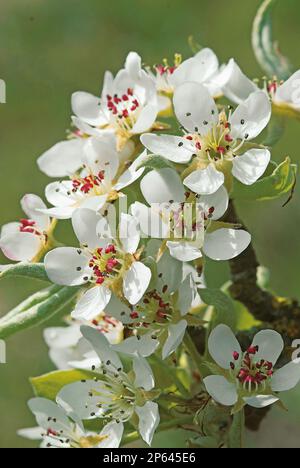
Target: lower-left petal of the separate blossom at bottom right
<point x="221" y="390"/>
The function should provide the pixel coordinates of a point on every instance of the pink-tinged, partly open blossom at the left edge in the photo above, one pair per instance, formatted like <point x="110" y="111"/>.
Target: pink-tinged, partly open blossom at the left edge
<point x="27" y="239"/>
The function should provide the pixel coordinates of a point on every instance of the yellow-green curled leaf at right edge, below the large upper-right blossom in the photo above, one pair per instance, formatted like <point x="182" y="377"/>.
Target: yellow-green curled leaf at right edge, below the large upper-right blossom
<point x="280" y="182"/>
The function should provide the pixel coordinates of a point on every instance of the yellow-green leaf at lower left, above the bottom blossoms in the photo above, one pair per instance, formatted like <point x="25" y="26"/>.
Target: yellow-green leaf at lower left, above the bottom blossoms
<point x="49" y="385"/>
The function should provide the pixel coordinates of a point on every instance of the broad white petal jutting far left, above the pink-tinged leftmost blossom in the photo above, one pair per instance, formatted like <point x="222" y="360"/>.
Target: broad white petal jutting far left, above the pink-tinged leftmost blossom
<point x="62" y="159"/>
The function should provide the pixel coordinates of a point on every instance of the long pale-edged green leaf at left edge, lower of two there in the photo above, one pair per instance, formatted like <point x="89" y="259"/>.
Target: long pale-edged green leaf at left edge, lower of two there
<point x="39" y="313"/>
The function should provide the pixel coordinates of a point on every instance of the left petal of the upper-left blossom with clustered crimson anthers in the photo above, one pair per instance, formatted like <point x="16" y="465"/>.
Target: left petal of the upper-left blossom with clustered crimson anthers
<point x="87" y="107"/>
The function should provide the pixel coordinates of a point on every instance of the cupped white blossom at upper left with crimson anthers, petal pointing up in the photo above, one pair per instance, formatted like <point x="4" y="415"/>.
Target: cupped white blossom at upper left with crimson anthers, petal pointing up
<point x="128" y="103"/>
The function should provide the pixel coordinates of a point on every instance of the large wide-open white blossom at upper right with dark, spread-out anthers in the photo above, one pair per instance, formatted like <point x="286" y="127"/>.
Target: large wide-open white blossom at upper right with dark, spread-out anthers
<point x="216" y="143"/>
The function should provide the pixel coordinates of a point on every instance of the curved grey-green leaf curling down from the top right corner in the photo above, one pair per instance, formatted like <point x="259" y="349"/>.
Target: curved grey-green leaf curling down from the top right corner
<point x="266" y="51"/>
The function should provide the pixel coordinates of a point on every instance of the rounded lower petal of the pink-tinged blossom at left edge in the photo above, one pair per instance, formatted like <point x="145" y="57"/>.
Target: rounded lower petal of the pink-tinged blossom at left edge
<point x="21" y="246"/>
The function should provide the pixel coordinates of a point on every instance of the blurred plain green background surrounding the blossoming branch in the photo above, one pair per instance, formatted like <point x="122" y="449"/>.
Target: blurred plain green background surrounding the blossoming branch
<point x="50" y="48"/>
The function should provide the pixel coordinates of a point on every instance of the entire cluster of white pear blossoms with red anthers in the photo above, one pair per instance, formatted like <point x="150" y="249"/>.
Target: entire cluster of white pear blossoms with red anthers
<point x="140" y="273"/>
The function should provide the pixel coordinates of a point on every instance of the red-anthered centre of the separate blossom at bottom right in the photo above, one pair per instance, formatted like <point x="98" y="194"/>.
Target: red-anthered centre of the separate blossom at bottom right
<point x="251" y="373"/>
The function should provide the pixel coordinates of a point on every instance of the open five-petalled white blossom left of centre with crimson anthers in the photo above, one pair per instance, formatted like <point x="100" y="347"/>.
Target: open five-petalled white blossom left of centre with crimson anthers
<point x="105" y="263"/>
